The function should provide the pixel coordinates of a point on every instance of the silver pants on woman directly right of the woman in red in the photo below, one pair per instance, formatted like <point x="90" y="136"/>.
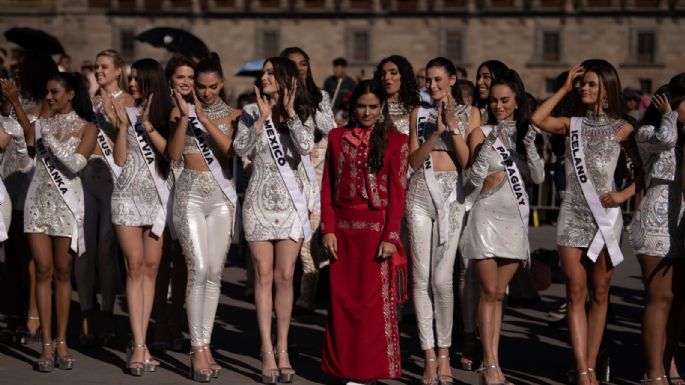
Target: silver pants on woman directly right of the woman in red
<point x="433" y="263"/>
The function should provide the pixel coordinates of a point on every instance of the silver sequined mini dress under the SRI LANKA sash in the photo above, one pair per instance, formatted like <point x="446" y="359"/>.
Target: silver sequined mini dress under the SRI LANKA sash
<point x="45" y="211"/>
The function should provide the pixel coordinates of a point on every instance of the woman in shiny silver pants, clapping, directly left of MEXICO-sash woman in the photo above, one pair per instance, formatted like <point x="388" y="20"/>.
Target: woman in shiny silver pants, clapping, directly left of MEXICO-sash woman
<point x="203" y="213"/>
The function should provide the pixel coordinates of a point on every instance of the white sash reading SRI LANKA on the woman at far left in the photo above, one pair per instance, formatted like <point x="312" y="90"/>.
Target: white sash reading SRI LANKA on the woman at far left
<point x="78" y="240"/>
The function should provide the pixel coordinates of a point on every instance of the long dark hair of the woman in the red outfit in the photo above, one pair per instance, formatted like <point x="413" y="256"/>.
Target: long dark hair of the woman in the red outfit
<point x="379" y="135"/>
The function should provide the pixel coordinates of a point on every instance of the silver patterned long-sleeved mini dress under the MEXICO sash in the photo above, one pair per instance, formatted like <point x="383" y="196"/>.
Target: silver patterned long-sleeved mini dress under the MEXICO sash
<point x="268" y="210"/>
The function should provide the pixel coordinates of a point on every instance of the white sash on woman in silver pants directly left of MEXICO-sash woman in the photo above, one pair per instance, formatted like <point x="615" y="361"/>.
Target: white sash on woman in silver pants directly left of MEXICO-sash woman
<point x="201" y="137"/>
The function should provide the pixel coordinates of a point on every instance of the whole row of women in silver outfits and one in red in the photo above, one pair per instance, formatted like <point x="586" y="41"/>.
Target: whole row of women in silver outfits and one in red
<point x="393" y="182"/>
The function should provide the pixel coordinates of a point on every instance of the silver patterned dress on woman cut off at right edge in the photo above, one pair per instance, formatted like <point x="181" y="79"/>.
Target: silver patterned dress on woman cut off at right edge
<point x="657" y="225"/>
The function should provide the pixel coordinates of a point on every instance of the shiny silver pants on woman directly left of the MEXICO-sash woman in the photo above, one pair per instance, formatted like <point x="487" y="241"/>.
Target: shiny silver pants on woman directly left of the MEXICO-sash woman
<point x="203" y="218"/>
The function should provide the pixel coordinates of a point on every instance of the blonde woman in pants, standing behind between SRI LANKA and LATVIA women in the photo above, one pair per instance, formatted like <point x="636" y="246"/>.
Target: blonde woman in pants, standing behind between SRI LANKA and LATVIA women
<point x="98" y="184"/>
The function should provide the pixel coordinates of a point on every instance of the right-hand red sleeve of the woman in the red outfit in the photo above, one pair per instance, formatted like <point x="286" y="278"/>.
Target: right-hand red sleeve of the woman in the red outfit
<point x="398" y="149"/>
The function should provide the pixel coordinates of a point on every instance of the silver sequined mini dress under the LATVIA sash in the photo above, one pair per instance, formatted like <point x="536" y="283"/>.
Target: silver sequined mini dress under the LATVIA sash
<point x="135" y="201"/>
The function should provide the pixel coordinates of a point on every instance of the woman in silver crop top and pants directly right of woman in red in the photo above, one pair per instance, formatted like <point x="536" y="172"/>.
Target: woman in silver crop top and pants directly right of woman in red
<point x="433" y="258"/>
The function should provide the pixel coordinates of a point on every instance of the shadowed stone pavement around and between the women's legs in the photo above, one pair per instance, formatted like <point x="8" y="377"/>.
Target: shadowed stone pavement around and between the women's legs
<point x="532" y="352"/>
